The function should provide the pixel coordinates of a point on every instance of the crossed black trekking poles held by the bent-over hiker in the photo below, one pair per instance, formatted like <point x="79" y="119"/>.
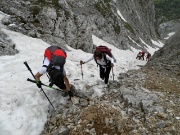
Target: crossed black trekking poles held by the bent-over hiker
<point x="35" y="81"/>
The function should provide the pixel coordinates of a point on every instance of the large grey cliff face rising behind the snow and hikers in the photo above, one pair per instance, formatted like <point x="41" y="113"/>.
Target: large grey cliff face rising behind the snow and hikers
<point x="73" y="22"/>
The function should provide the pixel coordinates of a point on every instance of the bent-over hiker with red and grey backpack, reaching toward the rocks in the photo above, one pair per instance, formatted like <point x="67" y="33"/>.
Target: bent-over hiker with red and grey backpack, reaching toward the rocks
<point x="53" y="64"/>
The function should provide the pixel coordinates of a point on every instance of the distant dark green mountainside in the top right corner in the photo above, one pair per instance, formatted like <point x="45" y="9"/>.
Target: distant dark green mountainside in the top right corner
<point x="167" y="16"/>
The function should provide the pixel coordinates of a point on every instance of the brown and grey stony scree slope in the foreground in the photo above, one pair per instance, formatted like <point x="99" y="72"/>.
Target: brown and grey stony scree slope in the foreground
<point x="134" y="105"/>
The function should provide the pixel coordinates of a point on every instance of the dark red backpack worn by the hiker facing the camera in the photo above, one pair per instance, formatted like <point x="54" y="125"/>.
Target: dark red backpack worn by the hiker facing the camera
<point x="104" y="50"/>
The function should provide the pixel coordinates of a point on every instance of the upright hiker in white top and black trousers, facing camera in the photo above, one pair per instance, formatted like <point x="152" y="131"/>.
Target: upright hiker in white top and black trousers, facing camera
<point x="105" y="63"/>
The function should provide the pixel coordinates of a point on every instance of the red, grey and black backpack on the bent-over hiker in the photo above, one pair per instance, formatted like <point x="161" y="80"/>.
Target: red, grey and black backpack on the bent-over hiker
<point x="57" y="57"/>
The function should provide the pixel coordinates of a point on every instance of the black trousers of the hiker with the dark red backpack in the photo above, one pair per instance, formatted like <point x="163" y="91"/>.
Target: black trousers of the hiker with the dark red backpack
<point x="104" y="73"/>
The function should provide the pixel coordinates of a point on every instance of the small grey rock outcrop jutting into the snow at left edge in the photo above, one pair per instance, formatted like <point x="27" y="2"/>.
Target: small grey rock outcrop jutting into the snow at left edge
<point x="7" y="47"/>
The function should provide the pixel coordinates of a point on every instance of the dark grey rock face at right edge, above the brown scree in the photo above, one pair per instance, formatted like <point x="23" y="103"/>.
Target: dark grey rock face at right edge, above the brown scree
<point x="168" y="57"/>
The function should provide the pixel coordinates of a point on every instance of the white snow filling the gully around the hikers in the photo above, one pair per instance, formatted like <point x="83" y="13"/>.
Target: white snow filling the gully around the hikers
<point x="23" y="107"/>
